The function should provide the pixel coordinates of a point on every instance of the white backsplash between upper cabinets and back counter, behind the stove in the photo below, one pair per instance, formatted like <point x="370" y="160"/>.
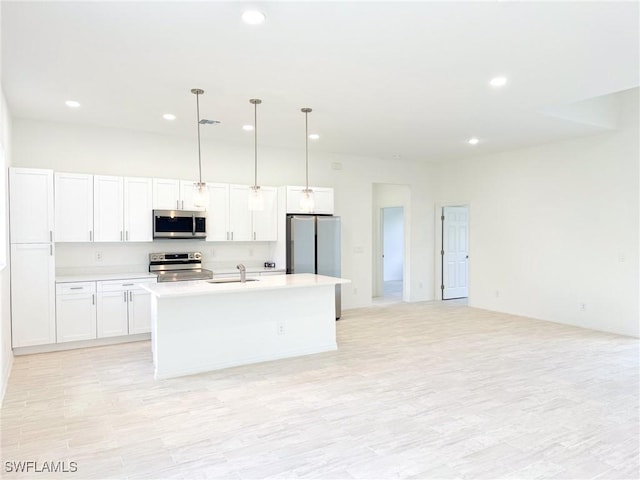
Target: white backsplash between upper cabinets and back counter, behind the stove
<point x="79" y="258"/>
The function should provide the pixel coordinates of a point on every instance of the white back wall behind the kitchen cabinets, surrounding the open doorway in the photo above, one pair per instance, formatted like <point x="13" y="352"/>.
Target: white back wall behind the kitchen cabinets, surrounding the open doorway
<point x="75" y="148"/>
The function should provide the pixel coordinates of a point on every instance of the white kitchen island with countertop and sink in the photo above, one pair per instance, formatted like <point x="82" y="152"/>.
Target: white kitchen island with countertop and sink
<point x="200" y="326"/>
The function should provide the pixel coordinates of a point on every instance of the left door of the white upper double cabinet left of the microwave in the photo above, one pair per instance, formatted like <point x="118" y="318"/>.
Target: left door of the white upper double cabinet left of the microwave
<point x="108" y="208"/>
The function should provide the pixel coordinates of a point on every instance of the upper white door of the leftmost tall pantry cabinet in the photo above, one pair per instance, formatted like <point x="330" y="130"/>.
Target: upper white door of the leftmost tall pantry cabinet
<point x="31" y="205"/>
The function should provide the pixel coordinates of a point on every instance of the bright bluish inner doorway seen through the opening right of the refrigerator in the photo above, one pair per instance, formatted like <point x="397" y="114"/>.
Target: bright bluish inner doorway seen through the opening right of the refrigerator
<point x="392" y="223"/>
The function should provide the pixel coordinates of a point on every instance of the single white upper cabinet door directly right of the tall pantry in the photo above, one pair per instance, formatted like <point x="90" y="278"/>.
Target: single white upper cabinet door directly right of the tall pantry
<point x="73" y="207"/>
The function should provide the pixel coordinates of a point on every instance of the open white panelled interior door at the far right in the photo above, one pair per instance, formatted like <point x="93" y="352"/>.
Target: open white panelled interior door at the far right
<point x="455" y="252"/>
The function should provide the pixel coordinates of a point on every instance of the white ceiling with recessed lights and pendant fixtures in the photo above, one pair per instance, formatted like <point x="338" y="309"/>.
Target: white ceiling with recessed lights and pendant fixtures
<point x="384" y="79"/>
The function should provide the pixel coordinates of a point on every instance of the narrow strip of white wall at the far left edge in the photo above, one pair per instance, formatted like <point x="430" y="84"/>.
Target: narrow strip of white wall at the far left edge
<point x="6" y="356"/>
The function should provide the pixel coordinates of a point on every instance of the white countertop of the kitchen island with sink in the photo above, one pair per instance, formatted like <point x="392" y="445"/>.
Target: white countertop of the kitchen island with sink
<point x="271" y="282"/>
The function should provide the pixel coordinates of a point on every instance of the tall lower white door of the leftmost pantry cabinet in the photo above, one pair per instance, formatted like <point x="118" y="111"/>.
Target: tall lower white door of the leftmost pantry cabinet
<point x="33" y="319"/>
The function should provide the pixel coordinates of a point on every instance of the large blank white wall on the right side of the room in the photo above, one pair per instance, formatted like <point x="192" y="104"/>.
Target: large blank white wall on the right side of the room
<point x="555" y="227"/>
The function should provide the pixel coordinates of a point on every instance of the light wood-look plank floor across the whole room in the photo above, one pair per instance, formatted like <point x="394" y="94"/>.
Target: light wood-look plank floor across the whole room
<point x="415" y="391"/>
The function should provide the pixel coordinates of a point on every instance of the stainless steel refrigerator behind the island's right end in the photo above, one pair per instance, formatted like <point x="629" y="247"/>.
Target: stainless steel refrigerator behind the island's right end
<point x="313" y="246"/>
